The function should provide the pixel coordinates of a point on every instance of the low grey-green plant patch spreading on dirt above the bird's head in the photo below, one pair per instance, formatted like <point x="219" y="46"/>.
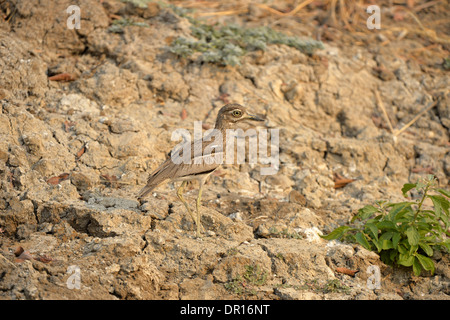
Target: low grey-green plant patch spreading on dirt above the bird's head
<point x="226" y="44"/>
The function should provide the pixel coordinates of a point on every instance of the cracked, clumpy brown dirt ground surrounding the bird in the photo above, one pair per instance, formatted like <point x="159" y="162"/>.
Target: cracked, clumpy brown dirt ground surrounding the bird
<point x="86" y="114"/>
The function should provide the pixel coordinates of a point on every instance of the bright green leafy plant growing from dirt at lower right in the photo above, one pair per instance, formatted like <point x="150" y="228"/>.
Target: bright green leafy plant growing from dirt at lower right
<point x="403" y="233"/>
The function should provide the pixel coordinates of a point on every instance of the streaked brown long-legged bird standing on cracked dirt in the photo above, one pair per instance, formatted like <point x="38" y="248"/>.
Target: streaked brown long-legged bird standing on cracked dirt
<point x="198" y="168"/>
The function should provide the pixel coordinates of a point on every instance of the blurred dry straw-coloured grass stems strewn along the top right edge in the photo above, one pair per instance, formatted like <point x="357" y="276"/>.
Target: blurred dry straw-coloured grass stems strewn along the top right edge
<point x="399" y="18"/>
